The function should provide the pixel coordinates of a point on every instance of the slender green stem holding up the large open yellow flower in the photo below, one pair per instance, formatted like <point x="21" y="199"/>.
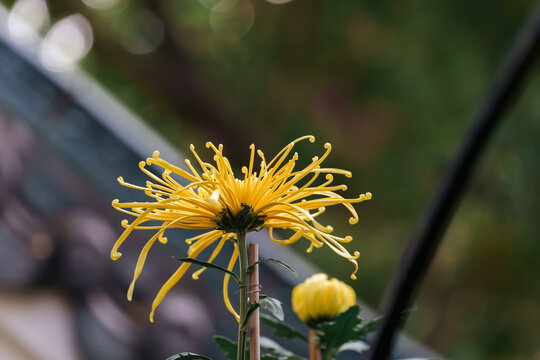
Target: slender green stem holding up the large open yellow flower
<point x="243" y="263"/>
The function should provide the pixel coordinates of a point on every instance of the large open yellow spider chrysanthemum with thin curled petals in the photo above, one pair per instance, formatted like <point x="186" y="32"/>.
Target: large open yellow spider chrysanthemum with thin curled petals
<point x="278" y="196"/>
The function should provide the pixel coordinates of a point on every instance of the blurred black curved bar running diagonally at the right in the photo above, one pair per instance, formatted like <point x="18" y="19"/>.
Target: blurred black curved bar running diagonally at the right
<point x="424" y="243"/>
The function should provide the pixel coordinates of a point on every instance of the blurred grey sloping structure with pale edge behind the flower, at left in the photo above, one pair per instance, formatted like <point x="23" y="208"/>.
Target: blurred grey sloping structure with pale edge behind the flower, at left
<point x="63" y="143"/>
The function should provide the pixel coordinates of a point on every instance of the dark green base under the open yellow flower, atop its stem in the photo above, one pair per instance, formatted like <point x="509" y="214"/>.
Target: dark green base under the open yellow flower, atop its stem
<point x="244" y="221"/>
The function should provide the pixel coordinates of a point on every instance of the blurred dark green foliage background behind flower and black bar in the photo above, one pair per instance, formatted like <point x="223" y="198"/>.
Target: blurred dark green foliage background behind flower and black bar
<point x="393" y="86"/>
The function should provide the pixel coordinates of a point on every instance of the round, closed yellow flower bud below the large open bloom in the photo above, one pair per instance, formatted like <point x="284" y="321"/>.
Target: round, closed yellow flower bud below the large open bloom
<point x="318" y="299"/>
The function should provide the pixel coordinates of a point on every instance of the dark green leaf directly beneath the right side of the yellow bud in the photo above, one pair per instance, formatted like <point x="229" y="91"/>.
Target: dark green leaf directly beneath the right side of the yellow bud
<point x="345" y="327"/>
